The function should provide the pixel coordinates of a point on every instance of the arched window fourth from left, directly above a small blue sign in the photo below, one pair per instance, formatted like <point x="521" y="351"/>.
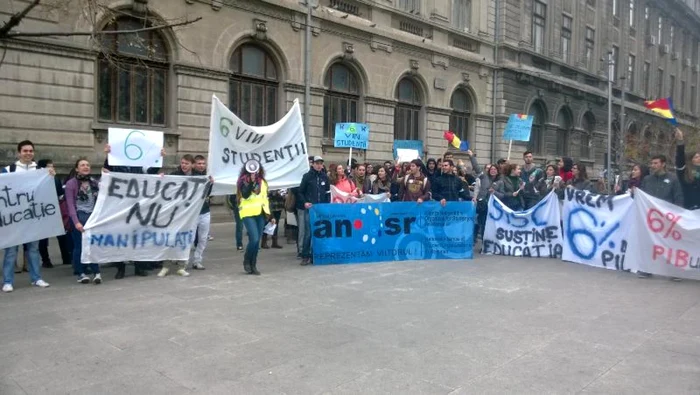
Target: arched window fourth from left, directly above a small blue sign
<point x="407" y="112"/>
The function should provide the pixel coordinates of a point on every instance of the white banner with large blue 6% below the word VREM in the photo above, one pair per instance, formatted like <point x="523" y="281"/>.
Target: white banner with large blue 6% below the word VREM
<point x="596" y="229"/>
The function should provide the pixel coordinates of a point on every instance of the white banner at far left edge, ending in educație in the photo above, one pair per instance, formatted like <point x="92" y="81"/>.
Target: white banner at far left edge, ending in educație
<point x="29" y="208"/>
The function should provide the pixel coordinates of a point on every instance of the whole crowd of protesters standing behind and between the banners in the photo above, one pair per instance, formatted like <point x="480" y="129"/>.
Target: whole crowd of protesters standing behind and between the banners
<point x="520" y="186"/>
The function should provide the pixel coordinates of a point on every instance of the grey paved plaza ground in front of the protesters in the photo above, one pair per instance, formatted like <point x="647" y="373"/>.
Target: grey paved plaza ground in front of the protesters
<point x="487" y="326"/>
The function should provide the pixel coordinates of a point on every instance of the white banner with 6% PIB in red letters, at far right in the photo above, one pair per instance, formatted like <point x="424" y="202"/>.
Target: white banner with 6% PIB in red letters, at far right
<point x="666" y="238"/>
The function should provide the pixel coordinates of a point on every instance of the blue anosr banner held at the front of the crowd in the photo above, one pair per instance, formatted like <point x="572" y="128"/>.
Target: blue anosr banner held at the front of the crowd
<point x="400" y="231"/>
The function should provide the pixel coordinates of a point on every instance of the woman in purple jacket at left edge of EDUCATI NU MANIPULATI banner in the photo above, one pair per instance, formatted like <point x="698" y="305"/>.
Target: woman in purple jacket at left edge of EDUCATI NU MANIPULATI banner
<point x="81" y="196"/>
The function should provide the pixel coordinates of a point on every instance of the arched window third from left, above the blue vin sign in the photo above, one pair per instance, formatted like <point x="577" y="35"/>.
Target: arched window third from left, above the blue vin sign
<point x="342" y="99"/>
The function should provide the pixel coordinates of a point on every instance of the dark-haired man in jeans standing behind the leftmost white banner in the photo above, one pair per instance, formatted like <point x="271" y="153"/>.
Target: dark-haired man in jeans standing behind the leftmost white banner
<point x="25" y="162"/>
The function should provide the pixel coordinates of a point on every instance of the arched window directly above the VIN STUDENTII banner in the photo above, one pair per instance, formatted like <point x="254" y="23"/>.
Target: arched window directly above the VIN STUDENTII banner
<point x="253" y="85"/>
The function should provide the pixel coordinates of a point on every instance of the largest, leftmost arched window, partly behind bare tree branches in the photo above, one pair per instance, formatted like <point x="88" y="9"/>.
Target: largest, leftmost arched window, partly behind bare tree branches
<point x="133" y="79"/>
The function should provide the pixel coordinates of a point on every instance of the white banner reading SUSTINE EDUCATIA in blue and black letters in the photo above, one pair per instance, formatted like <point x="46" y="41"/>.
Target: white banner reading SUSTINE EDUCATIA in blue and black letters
<point x="533" y="233"/>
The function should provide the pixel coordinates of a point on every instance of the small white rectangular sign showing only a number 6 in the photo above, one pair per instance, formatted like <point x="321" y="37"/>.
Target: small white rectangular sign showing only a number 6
<point x="134" y="147"/>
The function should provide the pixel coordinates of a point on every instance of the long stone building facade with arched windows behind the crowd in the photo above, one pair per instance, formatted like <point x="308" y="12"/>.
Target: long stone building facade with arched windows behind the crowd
<point x="411" y="69"/>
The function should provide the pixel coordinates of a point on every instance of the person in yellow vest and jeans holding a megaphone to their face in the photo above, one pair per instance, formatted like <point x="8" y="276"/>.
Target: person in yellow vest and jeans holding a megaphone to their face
<point x="254" y="209"/>
